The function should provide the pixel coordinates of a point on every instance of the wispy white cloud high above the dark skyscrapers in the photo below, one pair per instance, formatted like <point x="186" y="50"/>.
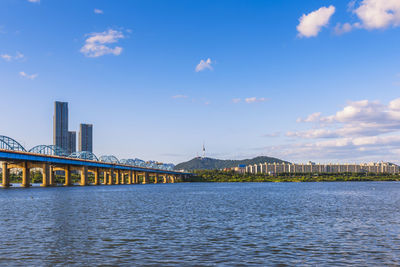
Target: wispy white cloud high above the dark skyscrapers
<point x="98" y="43"/>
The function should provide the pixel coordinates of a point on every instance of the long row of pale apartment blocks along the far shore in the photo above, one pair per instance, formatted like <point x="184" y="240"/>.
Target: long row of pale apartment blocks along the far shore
<point x="311" y="167"/>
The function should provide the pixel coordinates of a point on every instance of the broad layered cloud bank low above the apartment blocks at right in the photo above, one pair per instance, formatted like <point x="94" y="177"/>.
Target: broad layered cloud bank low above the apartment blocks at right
<point x="364" y="129"/>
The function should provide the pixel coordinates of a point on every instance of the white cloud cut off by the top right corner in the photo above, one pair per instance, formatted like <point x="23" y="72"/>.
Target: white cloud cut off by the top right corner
<point x="378" y="14"/>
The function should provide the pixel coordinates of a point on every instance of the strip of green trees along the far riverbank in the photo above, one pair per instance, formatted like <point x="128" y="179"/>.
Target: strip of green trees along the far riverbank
<point x="218" y="176"/>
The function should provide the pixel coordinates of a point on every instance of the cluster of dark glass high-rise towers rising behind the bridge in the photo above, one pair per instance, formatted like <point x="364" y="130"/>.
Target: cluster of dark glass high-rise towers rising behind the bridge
<point x="66" y="139"/>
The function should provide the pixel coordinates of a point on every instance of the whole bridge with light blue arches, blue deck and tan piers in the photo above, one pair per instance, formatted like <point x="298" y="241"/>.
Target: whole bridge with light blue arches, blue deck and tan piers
<point x="107" y="170"/>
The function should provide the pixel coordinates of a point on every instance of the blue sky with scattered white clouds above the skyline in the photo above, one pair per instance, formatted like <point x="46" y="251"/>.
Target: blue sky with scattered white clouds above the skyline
<point x="297" y="80"/>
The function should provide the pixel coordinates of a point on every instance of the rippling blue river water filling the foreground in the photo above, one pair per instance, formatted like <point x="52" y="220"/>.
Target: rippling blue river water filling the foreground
<point x="353" y="223"/>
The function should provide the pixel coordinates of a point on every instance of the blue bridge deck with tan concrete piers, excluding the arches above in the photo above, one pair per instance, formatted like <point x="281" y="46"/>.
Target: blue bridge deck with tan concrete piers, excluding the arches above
<point x="111" y="173"/>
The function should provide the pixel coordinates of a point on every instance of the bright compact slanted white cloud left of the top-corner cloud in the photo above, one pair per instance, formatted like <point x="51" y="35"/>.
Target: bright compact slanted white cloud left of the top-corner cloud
<point x="310" y="25"/>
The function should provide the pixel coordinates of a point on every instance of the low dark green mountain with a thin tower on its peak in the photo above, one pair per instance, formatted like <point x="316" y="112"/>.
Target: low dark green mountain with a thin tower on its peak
<point x="212" y="164"/>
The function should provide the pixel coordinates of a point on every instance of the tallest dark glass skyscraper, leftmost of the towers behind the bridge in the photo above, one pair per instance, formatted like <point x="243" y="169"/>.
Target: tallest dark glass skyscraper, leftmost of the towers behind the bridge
<point x="60" y="125"/>
